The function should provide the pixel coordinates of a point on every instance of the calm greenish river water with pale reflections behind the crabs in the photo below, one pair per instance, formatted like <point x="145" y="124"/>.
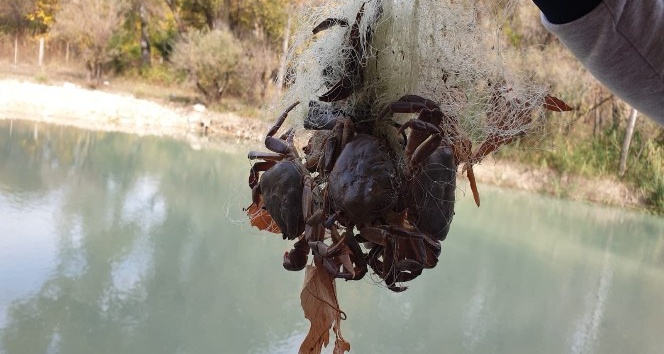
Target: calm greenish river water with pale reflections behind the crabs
<point x="111" y="243"/>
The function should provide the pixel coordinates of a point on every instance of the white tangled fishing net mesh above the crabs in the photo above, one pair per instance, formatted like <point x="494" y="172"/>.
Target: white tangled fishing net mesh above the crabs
<point x="447" y="51"/>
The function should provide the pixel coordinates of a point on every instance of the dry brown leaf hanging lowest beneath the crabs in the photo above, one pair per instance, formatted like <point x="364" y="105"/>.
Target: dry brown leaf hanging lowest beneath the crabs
<point x="319" y="302"/>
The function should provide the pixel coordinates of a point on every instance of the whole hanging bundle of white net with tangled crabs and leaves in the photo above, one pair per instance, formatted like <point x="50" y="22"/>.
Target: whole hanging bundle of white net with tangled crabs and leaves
<point x="357" y="71"/>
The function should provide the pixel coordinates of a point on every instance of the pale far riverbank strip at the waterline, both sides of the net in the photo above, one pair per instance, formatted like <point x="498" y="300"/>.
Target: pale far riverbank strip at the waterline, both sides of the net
<point x="72" y="105"/>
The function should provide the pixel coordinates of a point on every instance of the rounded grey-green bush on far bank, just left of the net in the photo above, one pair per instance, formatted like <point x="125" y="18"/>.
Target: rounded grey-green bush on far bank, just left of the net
<point x="210" y="59"/>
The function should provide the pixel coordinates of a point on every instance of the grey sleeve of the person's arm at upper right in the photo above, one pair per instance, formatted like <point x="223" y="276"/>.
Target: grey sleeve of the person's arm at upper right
<point x="621" y="42"/>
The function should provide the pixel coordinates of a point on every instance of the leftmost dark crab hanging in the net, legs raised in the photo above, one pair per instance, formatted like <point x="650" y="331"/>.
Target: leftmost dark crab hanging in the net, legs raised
<point x="278" y="186"/>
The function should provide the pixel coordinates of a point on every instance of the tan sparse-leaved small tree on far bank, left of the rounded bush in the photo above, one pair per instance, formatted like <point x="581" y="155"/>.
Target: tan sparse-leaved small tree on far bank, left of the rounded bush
<point x="90" y="24"/>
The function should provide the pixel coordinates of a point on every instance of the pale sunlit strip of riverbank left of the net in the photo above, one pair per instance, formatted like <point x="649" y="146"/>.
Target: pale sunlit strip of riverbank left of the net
<point x="72" y="105"/>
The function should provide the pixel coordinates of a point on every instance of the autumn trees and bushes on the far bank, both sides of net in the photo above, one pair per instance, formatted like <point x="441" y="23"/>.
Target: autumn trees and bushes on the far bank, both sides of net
<point x="225" y="53"/>
